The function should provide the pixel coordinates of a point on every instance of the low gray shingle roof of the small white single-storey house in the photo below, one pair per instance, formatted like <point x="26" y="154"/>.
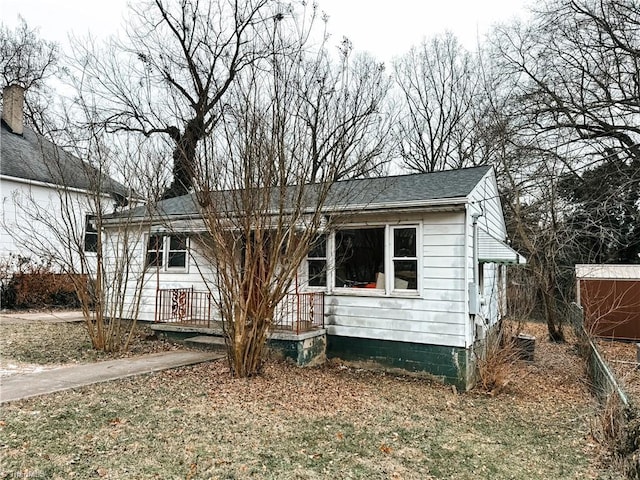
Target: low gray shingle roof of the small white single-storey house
<point x="360" y="194"/>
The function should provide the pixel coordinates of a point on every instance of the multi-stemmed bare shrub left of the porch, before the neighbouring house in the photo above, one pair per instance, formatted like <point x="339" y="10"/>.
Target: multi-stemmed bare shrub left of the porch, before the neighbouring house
<point x="63" y="224"/>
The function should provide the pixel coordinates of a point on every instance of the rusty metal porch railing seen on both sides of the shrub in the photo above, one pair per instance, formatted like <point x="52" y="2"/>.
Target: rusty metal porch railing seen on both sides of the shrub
<point x="296" y="312"/>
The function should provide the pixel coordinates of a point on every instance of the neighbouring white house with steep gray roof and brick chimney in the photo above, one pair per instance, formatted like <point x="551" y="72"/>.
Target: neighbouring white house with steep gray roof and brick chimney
<point x="48" y="195"/>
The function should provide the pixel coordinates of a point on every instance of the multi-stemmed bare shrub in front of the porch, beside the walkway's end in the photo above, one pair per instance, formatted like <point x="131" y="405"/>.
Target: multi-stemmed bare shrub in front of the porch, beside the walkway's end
<point x="262" y="193"/>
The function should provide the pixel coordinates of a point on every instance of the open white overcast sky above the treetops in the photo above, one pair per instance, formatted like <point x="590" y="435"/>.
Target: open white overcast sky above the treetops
<point x="385" y="28"/>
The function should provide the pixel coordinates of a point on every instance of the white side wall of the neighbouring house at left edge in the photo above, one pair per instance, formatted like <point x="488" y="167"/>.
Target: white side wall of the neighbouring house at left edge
<point x="32" y="220"/>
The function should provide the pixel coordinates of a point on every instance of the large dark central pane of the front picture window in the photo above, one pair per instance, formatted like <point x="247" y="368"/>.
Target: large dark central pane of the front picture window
<point x="360" y="258"/>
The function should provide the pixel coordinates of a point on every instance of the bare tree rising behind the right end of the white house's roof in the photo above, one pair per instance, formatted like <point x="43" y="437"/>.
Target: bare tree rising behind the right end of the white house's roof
<point x="437" y="82"/>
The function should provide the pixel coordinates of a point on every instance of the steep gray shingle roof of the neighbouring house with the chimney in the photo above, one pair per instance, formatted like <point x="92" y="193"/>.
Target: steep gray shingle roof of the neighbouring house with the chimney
<point x="30" y="156"/>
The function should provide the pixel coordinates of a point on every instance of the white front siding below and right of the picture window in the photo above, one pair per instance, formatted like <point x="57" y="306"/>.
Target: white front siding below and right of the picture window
<point x="435" y="315"/>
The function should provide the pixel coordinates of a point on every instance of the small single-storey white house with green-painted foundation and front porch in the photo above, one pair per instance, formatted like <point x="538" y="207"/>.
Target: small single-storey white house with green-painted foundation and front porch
<point x="410" y="271"/>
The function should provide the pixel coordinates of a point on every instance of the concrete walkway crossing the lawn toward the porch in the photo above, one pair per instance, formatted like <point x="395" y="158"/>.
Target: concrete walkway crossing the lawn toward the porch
<point x="18" y="387"/>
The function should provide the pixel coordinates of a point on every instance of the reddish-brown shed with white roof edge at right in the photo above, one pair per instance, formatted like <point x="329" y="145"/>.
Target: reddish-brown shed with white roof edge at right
<point x="610" y="297"/>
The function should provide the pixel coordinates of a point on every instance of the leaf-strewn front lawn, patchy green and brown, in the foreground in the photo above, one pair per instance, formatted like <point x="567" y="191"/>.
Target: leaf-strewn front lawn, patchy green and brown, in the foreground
<point x="326" y="422"/>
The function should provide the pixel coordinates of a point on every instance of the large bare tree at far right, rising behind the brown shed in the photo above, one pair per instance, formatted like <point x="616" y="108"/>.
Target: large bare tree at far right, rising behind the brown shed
<point x="564" y="93"/>
